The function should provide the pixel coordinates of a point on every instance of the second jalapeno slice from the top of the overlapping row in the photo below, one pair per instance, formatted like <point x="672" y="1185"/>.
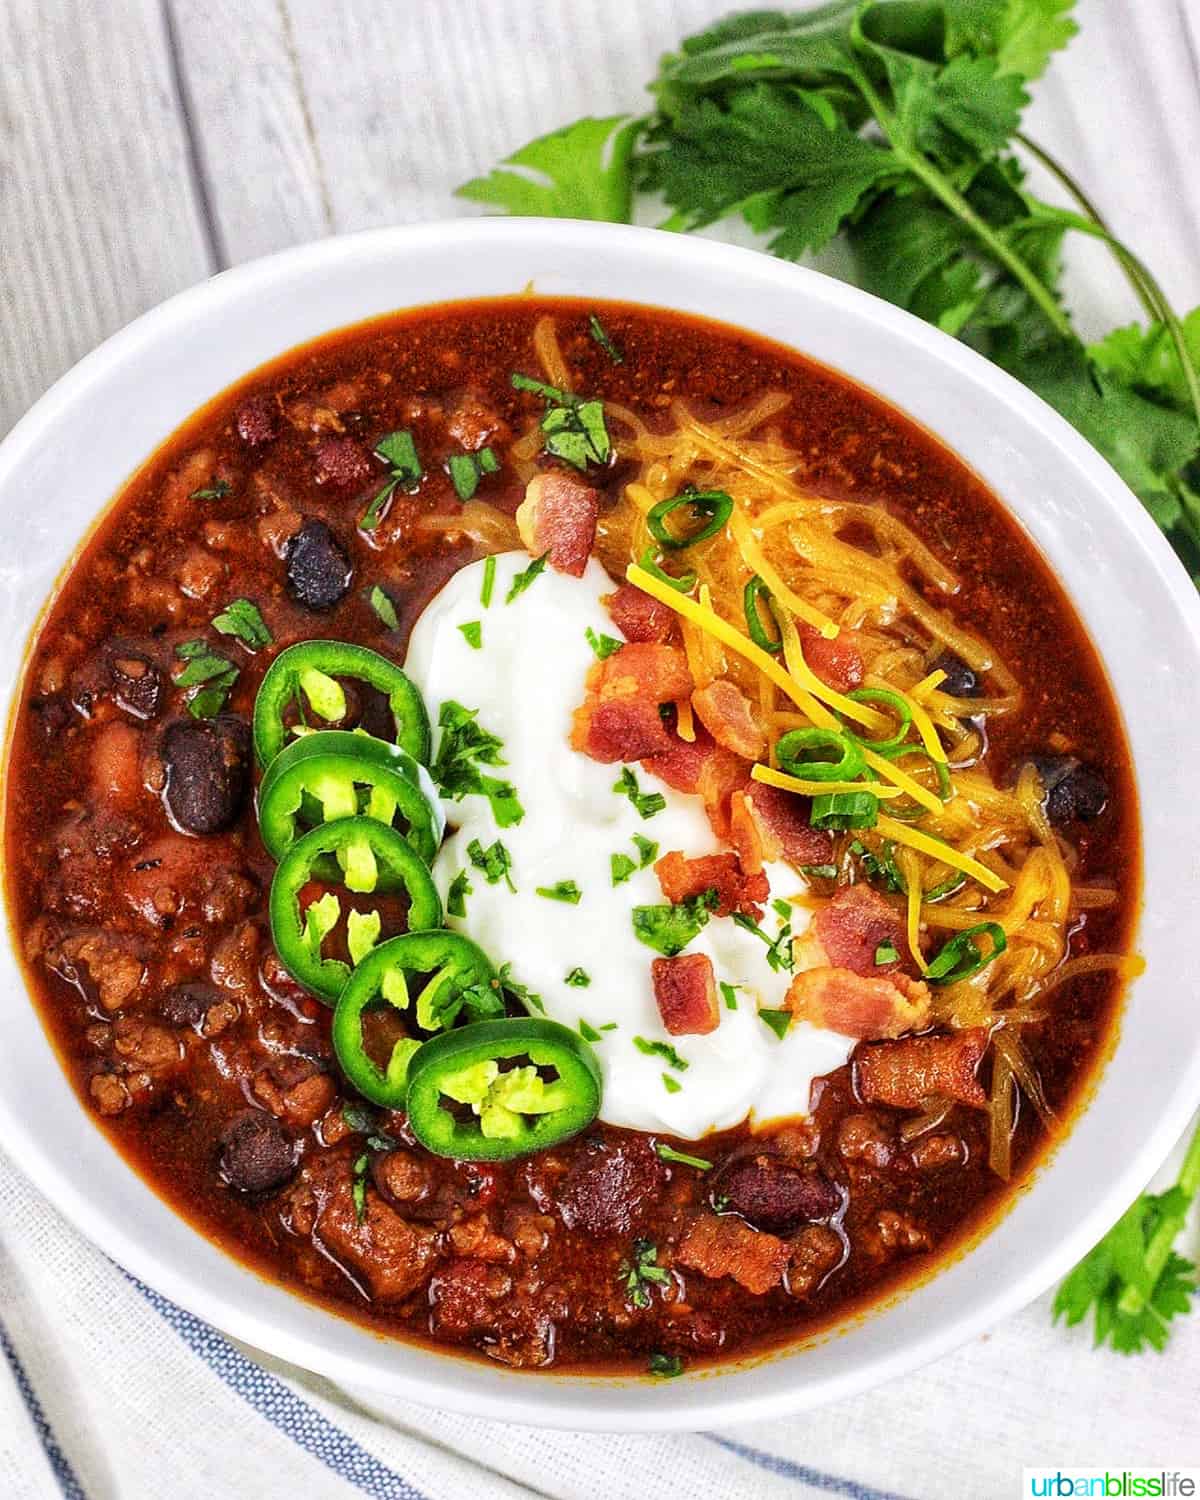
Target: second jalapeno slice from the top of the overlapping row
<point x="335" y="773"/>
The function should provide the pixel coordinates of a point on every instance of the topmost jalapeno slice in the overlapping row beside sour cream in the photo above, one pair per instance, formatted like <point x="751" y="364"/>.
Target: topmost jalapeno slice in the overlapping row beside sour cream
<point x="308" y="674"/>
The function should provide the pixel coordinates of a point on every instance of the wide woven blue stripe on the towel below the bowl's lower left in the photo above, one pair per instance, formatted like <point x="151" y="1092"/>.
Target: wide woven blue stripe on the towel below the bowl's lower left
<point x="302" y="1423"/>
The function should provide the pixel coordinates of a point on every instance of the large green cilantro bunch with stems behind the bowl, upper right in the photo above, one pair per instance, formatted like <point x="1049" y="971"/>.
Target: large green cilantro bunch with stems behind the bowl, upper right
<point x="893" y="127"/>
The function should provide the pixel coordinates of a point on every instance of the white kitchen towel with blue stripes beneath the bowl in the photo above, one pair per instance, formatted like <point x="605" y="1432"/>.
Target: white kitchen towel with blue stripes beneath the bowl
<point x="110" y="1393"/>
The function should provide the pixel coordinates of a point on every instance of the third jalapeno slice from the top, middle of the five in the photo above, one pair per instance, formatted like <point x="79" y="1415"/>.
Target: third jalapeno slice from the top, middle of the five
<point x="362" y="856"/>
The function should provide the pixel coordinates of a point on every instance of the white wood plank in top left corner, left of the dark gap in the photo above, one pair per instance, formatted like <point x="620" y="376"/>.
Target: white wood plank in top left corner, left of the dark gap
<point x="101" y="220"/>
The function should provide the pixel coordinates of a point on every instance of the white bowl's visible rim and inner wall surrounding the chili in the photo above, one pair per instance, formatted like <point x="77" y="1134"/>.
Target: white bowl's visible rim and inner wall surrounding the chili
<point x="61" y="467"/>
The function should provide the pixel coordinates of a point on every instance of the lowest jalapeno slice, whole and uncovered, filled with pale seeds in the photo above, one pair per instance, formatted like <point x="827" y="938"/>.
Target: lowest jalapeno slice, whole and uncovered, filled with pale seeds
<point x="550" y="1093"/>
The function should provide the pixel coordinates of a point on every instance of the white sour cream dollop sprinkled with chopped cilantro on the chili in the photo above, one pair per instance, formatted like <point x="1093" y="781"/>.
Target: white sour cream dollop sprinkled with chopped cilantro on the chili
<point x="524" y="680"/>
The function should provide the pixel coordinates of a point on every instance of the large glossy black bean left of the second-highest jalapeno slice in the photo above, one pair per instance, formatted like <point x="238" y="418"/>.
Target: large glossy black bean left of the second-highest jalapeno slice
<point x="208" y="772"/>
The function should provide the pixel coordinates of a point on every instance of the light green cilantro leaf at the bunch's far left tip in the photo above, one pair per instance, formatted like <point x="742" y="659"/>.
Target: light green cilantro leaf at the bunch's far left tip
<point x="581" y="172"/>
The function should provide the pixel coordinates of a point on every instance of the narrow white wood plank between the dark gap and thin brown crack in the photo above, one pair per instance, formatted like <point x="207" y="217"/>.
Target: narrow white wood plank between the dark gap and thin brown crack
<point x="257" y="152"/>
